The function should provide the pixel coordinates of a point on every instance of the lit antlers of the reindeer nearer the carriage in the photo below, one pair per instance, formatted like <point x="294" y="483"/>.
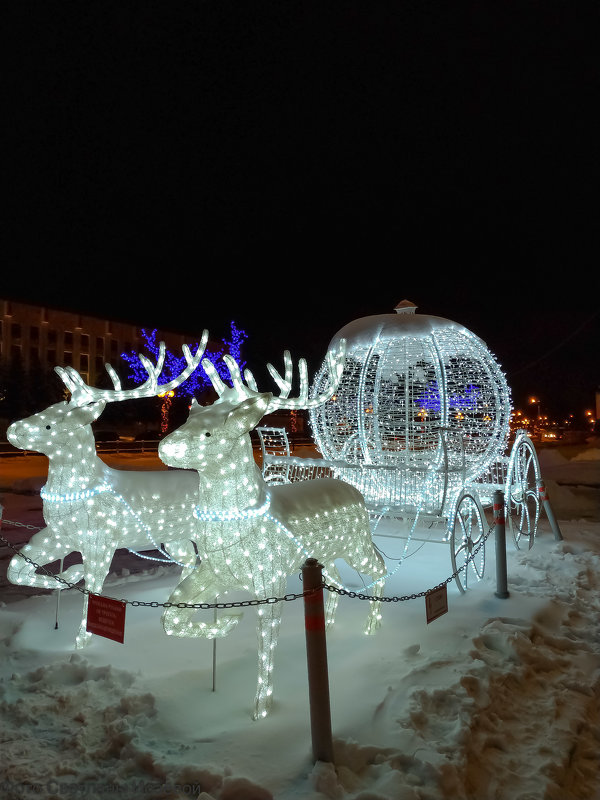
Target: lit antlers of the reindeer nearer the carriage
<point x="335" y="363"/>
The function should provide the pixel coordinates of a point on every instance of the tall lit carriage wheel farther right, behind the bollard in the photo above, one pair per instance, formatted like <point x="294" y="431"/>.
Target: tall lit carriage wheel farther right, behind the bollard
<point x="521" y="495"/>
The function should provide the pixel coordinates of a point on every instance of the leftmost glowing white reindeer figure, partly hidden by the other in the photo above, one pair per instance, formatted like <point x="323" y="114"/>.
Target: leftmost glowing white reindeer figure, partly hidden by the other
<point x="93" y="509"/>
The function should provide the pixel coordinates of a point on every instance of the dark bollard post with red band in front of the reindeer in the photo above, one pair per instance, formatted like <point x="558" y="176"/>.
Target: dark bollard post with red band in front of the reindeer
<point x="316" y="657"/>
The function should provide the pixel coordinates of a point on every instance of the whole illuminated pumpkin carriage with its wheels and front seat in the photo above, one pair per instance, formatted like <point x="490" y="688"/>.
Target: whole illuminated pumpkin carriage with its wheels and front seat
<point x="420" y="425"/>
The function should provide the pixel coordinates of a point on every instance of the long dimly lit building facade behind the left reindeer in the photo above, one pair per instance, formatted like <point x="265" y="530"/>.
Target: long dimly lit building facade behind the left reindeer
<point x="45" y="337"/>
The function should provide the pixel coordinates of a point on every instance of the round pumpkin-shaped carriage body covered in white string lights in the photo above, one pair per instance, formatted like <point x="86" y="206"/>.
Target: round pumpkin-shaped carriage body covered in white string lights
<point x="422" y="403"/>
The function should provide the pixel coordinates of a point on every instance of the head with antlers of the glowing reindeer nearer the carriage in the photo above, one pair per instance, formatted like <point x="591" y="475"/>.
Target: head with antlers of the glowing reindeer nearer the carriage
<point x="211" y="433"/>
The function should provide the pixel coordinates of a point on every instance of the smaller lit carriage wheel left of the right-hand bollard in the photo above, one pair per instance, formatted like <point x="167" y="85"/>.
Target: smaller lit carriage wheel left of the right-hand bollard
<point x="467" y="544"/>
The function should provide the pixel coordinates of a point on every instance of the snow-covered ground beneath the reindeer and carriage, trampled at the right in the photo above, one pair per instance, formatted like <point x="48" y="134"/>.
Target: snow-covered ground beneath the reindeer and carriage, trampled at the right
<point x="497" y="699"/>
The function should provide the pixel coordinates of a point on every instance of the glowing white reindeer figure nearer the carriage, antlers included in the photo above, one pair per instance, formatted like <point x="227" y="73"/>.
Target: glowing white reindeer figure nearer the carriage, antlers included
<point x="251" y="536"/>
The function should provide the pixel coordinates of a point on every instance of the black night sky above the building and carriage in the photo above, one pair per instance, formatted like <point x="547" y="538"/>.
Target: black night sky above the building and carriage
<point x="294" y="166"/>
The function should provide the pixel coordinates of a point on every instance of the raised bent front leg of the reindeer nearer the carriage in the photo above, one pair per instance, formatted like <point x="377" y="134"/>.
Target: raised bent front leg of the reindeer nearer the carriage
<point x="200" y="586"/>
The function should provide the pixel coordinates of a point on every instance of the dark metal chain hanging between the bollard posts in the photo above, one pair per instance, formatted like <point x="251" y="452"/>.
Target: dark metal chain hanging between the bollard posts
<point x="244" y="603"/>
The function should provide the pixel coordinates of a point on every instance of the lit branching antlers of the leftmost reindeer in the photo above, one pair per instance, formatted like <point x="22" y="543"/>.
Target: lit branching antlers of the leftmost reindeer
<point x="81" y="393"/>
